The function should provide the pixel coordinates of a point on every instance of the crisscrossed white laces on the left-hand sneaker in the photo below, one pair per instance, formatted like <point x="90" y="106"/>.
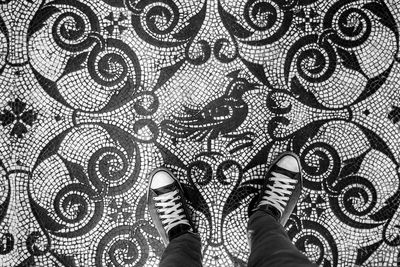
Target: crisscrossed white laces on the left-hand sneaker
<point x="170" y="210"/>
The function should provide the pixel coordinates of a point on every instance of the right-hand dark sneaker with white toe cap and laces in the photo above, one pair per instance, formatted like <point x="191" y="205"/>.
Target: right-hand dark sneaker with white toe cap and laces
<point x="282" y="187"/>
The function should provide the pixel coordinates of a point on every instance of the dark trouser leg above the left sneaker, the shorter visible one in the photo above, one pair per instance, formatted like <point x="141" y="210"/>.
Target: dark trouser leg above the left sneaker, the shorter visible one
<point x="184" y="250"/>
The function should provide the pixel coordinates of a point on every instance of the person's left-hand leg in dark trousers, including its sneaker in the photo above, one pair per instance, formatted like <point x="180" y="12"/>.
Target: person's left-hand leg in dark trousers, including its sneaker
<point x="169" y="212"/>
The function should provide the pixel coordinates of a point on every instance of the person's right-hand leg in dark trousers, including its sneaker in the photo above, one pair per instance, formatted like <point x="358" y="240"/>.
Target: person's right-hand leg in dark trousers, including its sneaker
<point x="269" y="243"/>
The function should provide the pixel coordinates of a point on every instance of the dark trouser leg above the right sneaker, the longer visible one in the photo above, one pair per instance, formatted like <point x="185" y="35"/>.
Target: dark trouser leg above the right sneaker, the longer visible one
<point x="270" y="245"/>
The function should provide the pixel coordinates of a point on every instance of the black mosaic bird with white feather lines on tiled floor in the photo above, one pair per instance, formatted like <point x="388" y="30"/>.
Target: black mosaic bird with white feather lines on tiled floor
<point x="221" y="117"/>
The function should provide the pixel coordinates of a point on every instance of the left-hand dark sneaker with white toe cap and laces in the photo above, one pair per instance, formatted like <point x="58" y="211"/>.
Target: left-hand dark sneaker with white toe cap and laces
<point x="167" y="205"/>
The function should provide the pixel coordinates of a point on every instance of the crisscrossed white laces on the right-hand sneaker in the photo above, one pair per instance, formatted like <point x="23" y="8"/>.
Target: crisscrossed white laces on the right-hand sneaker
<point x="277" y="194"/>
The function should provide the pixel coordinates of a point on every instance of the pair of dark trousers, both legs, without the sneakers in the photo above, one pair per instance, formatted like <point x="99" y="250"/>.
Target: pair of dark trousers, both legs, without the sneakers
<point x="270" y="246"/>
